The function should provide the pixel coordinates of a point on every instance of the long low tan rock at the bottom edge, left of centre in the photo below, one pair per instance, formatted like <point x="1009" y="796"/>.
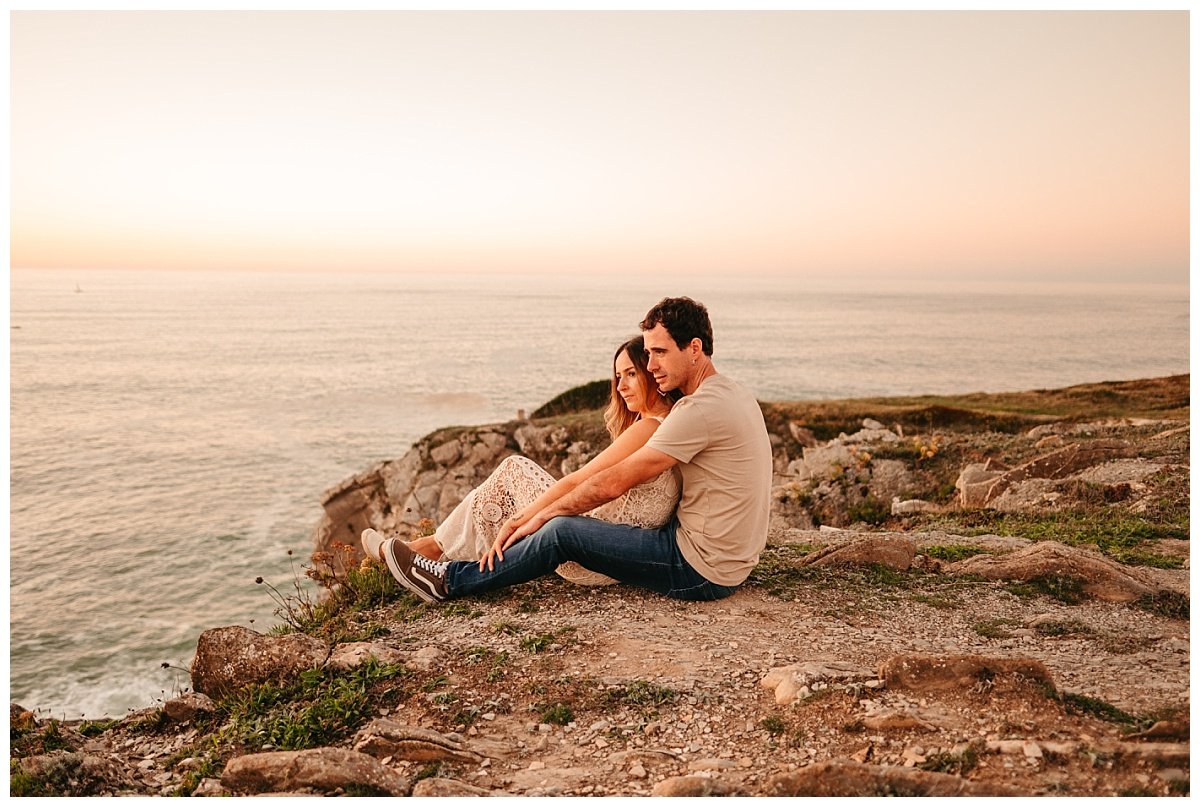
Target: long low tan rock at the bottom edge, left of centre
<point x="322" y="770"/>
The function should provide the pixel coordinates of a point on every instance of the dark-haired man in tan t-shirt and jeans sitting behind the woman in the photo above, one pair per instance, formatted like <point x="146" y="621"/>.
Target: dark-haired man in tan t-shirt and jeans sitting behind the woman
<point x="716" y="434"/>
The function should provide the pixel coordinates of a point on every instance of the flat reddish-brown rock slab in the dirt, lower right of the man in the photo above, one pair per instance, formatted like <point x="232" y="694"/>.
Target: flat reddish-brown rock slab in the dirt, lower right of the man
<point x="949" y="673"/>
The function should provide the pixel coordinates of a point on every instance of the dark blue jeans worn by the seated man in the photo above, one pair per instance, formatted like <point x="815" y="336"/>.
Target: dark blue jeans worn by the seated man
<point x="649" y="559"/>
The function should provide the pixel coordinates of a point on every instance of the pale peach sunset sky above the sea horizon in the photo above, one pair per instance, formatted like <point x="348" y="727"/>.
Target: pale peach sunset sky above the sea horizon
<point x="926" y="145"/>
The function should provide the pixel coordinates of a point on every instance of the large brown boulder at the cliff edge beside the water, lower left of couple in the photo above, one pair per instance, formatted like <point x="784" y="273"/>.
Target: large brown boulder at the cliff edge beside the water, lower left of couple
<point x="235" y="657"/>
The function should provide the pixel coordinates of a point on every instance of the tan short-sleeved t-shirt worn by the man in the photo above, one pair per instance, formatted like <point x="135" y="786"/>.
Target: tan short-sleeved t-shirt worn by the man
<point x="721" y="440"/>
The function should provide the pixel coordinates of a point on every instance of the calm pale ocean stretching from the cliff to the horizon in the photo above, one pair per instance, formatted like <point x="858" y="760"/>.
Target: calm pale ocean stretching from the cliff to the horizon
<point x="172" y="433"/>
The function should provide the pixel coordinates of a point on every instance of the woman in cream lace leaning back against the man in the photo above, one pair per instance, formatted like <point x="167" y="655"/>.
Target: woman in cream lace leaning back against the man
<point x="519" y="488"/>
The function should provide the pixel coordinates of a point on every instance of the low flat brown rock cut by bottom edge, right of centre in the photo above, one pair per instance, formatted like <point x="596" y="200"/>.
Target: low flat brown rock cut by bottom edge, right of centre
<point x="843" y="778"/>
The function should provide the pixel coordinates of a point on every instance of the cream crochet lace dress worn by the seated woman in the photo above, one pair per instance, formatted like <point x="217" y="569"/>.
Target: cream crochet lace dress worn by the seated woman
<point x="471" y="530"/>
